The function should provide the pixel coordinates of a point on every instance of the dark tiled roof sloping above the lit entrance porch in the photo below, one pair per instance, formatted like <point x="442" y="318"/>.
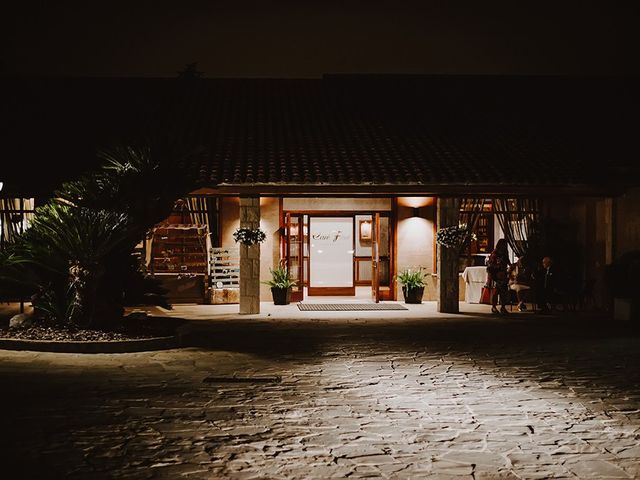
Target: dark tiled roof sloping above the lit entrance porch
<point x="421" y="132"/>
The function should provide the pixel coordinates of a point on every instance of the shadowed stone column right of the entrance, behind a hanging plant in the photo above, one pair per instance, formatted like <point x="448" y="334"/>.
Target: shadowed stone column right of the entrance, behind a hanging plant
<point x="447" y="262"/>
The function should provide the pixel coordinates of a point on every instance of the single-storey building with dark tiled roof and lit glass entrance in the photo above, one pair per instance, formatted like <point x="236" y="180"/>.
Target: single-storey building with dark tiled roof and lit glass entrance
<point x="348" y="176"/>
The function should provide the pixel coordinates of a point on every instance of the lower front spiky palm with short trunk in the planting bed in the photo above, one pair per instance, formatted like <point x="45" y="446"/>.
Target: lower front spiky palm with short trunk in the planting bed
<point x="66" y="252"/>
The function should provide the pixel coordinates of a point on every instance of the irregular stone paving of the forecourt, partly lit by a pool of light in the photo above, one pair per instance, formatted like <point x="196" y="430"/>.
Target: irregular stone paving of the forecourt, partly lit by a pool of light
<point x="463" y="398"/>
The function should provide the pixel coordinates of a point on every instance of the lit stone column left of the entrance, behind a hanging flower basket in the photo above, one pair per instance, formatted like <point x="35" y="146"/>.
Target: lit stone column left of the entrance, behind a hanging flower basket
<point x="249" y="258"/>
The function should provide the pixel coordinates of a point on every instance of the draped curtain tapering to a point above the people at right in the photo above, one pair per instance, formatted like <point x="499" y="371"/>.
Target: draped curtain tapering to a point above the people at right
<point x="519" y="219"/>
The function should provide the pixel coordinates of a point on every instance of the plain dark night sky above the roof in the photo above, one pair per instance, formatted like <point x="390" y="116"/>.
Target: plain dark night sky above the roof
<point x="298" y="39"/>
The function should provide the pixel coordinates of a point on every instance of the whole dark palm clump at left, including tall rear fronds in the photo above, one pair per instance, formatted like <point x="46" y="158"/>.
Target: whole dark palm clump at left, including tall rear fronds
<point x="77" y="257"/>
